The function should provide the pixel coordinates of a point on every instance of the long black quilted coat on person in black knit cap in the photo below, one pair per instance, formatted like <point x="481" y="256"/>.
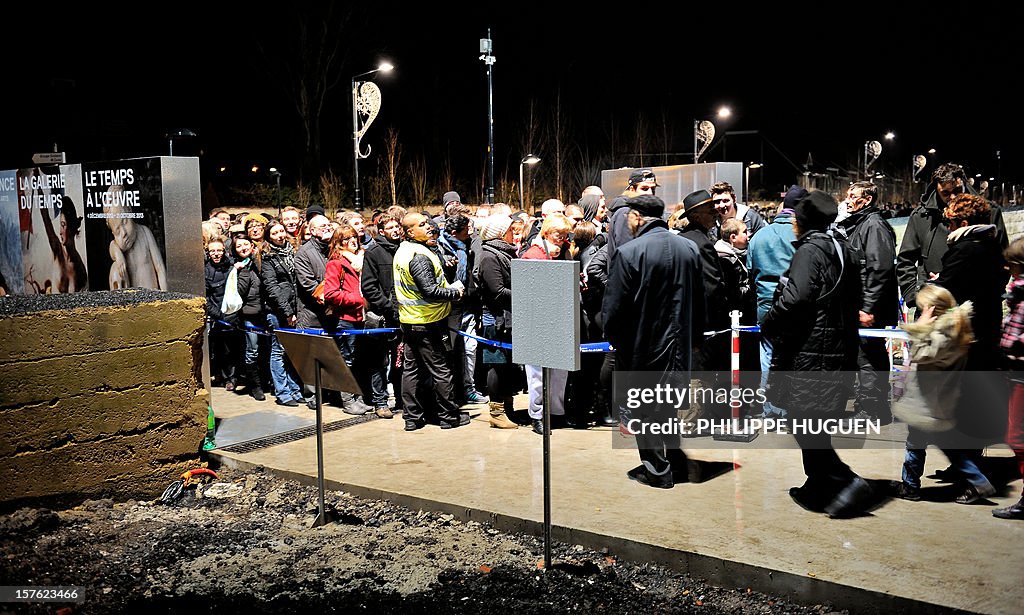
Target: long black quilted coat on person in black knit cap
<point x="814" y="326"/>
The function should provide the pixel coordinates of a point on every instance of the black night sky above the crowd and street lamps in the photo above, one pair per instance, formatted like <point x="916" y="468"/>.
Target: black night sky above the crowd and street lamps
<point x="111" y="82"/>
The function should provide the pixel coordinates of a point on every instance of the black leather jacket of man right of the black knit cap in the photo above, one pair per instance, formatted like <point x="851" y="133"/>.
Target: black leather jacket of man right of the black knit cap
<point x="874" y="240"/>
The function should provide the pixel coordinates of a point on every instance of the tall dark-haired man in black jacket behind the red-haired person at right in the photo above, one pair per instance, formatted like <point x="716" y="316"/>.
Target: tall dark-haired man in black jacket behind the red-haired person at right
<point x="925" y="241"/>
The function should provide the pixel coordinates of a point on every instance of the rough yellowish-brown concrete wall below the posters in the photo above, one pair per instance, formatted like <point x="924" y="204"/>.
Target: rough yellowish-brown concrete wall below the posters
<point x="101" y="394"/>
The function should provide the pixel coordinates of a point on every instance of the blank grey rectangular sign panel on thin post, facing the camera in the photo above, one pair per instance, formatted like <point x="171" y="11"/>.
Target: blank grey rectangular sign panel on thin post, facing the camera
<point x="546" y="314"/>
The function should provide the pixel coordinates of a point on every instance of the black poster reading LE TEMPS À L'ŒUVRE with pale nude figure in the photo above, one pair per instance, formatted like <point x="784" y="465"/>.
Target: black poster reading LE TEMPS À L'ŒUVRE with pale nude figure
<point x="124" y="225"/>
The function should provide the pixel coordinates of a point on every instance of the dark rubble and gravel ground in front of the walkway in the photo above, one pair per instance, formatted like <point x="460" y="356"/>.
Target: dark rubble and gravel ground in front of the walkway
<point x="243" y="544"/>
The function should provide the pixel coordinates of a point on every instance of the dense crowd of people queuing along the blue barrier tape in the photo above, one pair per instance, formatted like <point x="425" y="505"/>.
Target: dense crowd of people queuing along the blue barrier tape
<point x="421" y="305"/>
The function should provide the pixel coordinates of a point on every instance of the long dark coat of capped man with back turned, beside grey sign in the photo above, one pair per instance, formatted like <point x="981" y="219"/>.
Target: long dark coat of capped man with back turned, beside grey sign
<point x="654" y="305"/>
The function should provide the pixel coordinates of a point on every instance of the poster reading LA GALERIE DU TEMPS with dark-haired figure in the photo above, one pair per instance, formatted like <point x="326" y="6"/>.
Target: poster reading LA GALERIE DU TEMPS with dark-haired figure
<point x="53" y="242"/>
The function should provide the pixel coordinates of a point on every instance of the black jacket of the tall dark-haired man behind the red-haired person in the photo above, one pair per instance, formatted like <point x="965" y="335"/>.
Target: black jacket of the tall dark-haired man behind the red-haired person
<point x="925" y="242"/>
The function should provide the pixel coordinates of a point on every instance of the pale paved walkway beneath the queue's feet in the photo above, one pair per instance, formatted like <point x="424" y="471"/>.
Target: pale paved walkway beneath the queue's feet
<point x="739" y="529"/>
